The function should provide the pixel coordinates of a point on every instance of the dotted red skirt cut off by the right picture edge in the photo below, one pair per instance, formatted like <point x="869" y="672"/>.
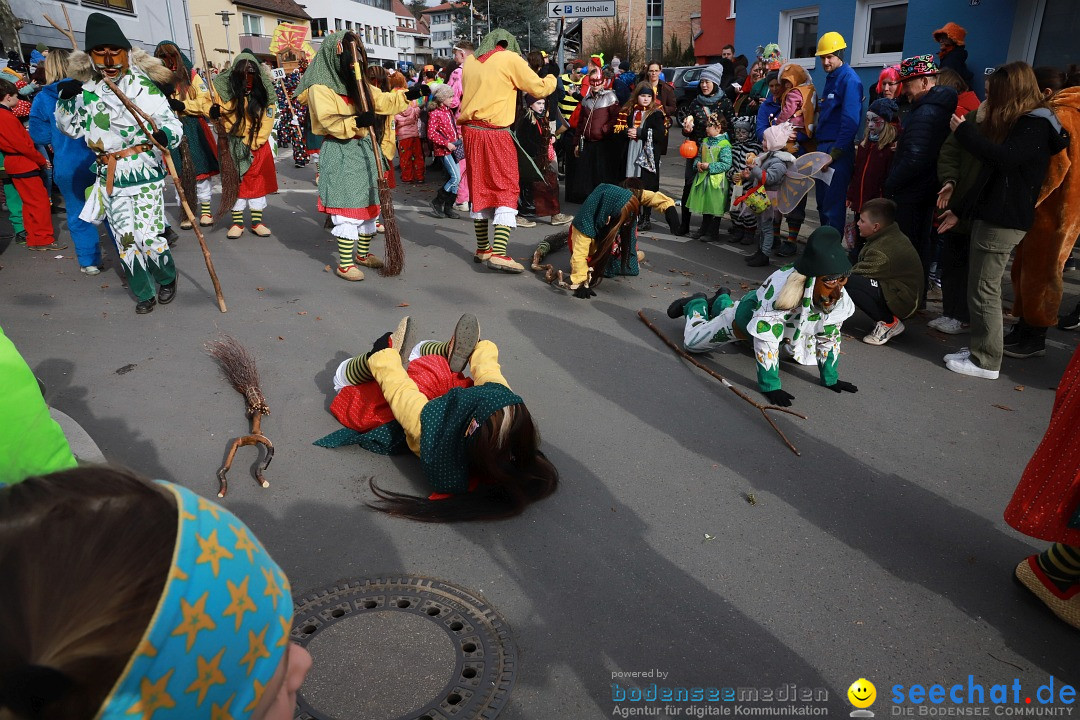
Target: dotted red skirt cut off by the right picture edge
<point x="1049" y="492"/>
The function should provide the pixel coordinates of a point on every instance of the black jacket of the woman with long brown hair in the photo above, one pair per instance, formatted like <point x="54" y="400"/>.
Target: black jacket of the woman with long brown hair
<point x="1014" y="172"/>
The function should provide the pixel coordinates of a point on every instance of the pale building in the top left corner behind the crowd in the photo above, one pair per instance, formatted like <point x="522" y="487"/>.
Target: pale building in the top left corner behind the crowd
<point x="143" y="22"/>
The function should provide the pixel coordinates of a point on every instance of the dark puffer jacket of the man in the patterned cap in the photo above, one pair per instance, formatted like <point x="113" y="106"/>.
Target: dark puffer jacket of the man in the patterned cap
<point x="914" y="174"/>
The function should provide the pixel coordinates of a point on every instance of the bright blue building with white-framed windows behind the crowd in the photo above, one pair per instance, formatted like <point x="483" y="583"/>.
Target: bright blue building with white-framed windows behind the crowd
<point x="882" y="33"/>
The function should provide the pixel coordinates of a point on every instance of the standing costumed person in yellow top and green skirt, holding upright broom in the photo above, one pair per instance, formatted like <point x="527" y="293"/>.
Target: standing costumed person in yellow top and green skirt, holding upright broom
<point x="348" y="173"/>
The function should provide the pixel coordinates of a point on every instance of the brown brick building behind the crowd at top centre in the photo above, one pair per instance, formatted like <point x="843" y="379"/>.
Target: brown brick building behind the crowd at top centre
<point x="651" y="24"/>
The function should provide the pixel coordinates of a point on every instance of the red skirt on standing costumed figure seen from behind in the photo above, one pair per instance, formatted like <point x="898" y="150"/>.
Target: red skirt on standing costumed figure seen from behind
<point x="492" y="159"/>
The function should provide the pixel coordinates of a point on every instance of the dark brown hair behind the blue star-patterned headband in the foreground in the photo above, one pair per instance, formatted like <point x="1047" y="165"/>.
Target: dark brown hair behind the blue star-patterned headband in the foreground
<point x="85" y="555"/>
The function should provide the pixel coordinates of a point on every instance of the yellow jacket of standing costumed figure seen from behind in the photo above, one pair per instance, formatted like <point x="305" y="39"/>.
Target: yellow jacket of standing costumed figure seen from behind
<point x="490" y="88"/>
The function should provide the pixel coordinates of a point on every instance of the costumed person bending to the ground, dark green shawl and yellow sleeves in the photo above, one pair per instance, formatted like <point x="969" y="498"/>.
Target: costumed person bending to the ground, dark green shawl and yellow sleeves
<point x="603" y="237"/>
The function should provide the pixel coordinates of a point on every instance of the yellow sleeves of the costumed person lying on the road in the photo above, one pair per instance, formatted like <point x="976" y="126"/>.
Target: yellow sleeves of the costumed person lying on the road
<point x="407" y="401"/>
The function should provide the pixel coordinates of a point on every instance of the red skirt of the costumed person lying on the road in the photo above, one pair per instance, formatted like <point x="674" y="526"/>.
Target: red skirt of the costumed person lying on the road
<point x="363" y="407"/>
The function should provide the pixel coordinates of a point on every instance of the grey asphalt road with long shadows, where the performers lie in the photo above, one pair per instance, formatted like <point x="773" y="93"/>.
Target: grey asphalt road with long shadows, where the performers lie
<point x="879" y="553"/>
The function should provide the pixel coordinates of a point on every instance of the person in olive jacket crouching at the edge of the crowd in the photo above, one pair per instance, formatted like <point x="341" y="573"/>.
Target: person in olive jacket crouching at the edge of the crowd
<point x="886" y="283"/>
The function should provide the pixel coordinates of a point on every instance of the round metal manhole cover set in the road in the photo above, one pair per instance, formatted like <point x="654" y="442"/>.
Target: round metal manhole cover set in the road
<point x="402" y="649"/>
